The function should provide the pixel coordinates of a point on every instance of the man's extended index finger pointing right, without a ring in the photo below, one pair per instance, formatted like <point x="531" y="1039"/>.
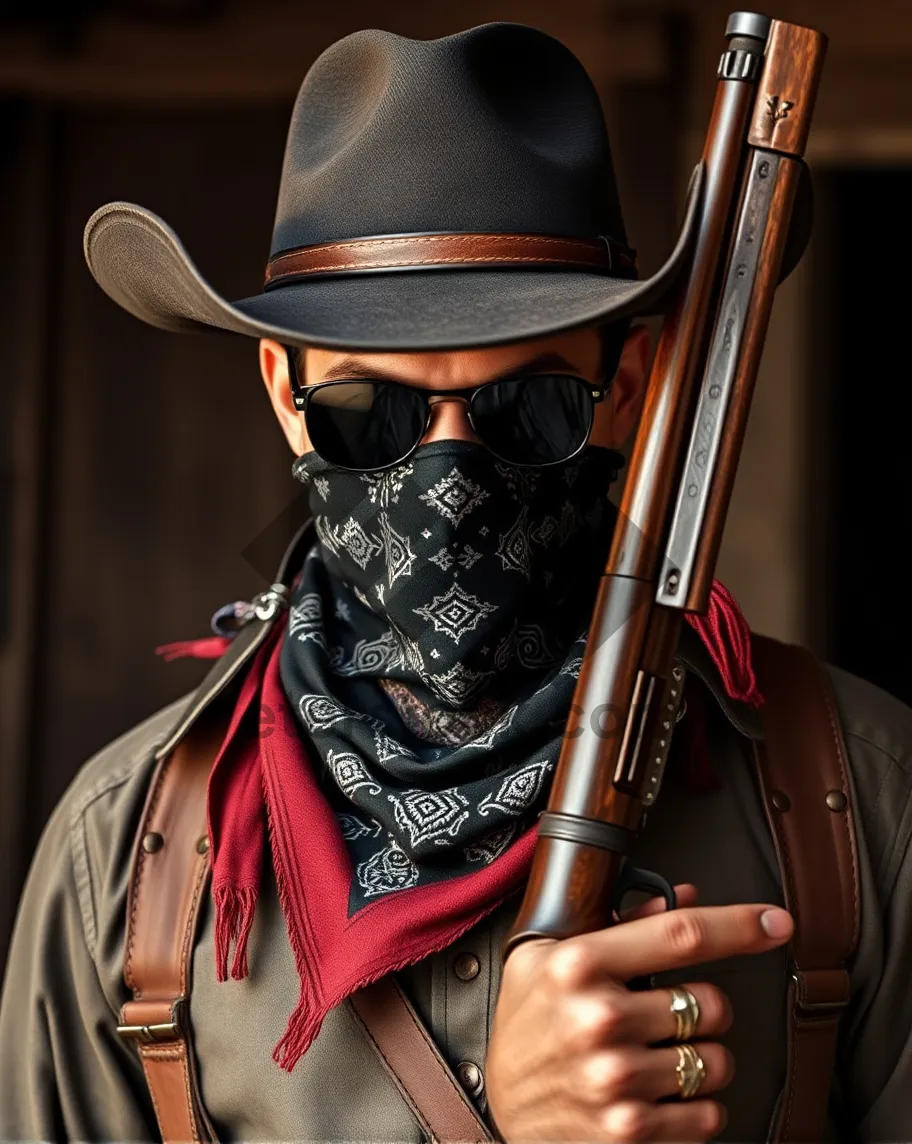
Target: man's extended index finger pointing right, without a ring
<point x="673" y="940"/>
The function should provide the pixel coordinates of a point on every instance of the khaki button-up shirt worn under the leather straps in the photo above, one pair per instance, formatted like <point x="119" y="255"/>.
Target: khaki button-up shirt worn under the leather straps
<point x="65" y="1074"/>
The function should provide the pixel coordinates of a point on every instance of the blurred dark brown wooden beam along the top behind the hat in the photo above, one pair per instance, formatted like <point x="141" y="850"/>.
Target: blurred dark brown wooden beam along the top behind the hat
<point x="260" y="52"/>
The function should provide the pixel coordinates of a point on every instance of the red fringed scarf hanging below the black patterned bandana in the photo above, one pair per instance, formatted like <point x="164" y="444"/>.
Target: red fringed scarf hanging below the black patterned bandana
<point x="264" y="783"/>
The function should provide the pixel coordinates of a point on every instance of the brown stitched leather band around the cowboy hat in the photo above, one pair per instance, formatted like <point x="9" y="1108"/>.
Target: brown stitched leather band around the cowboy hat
<point x="425" y="252"/>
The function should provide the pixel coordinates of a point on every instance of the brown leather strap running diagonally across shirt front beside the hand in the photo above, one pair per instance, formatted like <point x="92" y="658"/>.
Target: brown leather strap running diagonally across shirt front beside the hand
<point x="415" y="1066"/>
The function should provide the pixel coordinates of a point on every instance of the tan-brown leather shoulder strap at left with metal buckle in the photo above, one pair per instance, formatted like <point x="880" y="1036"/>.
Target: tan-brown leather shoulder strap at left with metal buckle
<point x="170" y="875"/>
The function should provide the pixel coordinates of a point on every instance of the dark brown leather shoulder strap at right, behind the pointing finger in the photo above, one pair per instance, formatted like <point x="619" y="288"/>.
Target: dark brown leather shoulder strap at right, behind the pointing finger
<point x="807" y="796"/>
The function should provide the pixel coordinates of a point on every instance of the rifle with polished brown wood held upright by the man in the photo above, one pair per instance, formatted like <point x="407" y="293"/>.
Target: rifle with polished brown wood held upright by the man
<point x="679" y="486"/>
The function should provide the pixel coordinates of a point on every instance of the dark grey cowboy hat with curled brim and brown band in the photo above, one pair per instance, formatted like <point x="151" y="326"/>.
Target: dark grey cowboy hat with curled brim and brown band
<point x="435" y="195"/>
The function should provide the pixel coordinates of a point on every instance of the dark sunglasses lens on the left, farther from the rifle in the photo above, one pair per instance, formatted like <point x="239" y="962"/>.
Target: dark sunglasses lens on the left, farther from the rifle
<point x="364" y="425"/>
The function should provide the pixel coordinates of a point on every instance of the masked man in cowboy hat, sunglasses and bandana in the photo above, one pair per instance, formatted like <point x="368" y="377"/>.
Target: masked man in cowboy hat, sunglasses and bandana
<point x="470" y="370"/>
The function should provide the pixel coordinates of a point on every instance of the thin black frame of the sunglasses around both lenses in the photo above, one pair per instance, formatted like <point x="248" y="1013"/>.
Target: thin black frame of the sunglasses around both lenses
<point x="303" y="395"/>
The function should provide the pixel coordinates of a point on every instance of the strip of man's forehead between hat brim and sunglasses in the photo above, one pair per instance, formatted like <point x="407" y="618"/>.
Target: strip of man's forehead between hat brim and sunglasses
<point x="577" y="352"/>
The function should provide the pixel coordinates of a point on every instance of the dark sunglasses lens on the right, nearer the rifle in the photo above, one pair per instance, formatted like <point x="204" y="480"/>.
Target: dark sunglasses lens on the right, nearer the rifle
<point x="538" y="420"/>
